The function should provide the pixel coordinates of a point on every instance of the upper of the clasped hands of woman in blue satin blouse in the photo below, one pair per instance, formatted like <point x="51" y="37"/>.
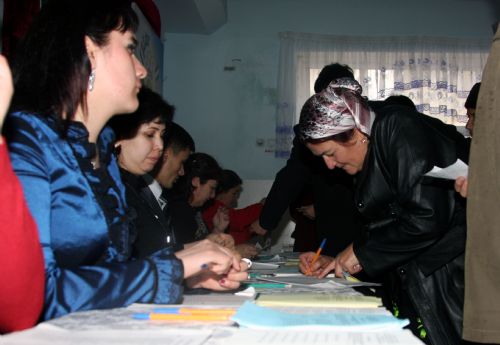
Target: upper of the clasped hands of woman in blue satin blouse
<point x="206" y="255"/>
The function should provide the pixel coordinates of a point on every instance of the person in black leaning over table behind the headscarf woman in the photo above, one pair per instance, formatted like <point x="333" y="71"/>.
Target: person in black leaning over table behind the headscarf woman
<point x="332" y="189"/>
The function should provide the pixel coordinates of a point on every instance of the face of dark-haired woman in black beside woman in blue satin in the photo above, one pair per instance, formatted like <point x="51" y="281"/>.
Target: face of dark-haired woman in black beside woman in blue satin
<point x="140" y="154"/>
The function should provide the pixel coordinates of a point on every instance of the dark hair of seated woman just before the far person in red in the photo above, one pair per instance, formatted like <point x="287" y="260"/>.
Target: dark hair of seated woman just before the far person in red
<point x="200" y="165"/>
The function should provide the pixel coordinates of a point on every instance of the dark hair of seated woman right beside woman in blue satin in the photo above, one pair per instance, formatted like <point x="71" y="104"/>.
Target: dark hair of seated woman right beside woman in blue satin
<point x="151" y="106"/>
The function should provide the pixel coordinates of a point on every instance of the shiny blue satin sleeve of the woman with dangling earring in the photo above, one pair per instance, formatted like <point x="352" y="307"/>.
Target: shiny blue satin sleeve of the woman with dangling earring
<point x="98" y="285"/>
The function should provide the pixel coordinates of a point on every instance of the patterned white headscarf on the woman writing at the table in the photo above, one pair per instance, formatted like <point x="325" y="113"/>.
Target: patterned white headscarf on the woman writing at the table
<point x="337" y="109"/>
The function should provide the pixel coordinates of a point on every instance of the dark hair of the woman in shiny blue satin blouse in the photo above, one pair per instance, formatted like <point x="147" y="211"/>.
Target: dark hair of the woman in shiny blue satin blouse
<point x="51" y="68"/>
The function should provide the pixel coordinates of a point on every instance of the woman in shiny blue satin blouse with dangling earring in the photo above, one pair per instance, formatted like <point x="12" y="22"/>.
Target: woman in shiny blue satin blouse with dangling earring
<point x="74" y="70"/>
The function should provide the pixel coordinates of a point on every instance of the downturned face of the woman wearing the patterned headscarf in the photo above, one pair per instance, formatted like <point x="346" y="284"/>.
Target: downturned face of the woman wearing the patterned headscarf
<point x="348" y="156"/>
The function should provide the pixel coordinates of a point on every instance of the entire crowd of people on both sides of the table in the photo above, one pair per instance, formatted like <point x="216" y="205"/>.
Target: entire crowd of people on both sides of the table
<point x="110" y="204"/>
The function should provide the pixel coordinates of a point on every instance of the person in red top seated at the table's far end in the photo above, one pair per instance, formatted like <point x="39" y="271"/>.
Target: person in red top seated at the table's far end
<point x="228" y="192"/>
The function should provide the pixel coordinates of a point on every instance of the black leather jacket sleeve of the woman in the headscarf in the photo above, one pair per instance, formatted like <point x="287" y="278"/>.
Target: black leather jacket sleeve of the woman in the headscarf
<point x="416" y="211"/>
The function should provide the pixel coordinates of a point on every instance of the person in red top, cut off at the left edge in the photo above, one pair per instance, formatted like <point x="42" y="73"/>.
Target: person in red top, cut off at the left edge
<point x="21" y="267"/>
